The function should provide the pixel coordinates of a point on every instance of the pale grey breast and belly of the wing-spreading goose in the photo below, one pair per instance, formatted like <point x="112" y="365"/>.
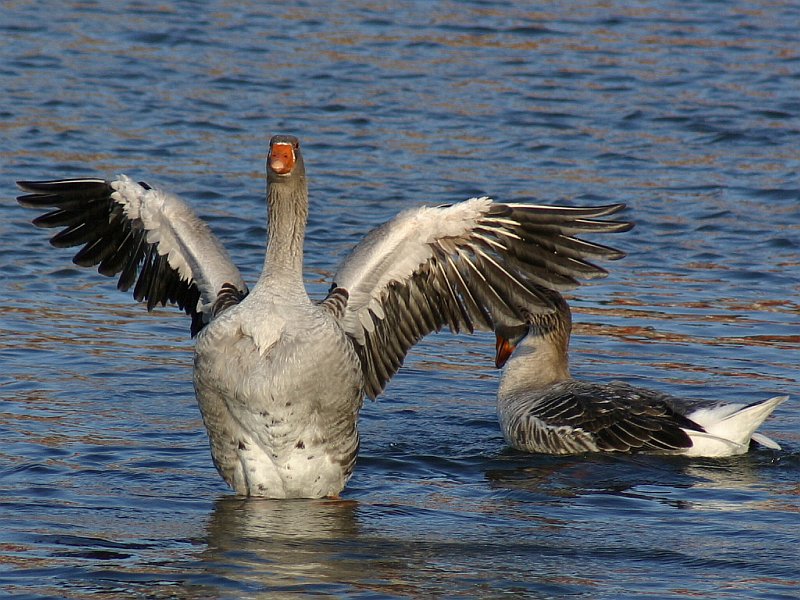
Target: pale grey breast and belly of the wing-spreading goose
<point x="282" y="415"/>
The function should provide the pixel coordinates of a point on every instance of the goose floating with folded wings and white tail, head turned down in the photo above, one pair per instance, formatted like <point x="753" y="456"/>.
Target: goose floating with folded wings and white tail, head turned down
<point x="542" y="409"/>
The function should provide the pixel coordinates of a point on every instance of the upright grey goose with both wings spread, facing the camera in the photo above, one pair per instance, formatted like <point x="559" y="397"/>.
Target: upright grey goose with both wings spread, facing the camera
<point x="279" y="378"/>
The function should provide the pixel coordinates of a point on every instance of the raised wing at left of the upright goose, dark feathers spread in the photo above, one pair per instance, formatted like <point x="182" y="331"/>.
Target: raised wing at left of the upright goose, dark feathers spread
<point x="149" y="237"/>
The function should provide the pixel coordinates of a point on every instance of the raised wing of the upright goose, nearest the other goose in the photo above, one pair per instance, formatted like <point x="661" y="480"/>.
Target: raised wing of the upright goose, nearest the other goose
<point x="466" y="266"/>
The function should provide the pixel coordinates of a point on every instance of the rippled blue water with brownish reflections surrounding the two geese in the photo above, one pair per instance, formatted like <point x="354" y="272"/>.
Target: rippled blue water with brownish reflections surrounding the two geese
<point x="688" y="112"/>
